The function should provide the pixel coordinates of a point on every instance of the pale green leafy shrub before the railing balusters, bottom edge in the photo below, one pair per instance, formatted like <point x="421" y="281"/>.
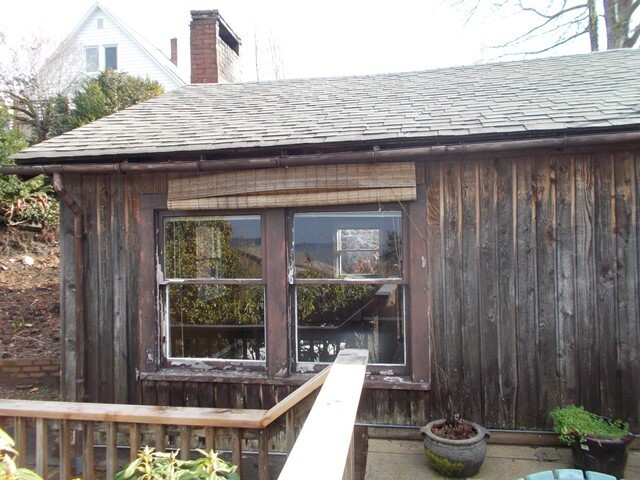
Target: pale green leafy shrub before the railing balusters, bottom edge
<point x="166" y="466"/>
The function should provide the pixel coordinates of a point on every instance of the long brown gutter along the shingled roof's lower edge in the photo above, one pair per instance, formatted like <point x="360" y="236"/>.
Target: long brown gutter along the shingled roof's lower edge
<point x="460" y="149"/>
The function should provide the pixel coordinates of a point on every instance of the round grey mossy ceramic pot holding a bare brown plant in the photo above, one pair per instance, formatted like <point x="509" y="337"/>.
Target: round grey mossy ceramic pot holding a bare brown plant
<point x="455" y="458"/>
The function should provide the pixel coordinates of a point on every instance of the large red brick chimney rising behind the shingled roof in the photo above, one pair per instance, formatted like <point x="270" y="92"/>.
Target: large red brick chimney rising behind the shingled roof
<point x="215" y="49"/>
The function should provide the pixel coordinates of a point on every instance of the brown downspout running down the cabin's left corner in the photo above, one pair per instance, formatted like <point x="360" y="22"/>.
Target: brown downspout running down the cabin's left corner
<point x="78" y="244"/>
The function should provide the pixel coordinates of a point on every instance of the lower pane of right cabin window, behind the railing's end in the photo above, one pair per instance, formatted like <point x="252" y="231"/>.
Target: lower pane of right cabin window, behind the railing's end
<point x="333" y="317"/>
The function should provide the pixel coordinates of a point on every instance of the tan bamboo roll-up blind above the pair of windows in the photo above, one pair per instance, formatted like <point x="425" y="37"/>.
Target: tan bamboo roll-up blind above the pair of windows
<point x="295" y="187"/>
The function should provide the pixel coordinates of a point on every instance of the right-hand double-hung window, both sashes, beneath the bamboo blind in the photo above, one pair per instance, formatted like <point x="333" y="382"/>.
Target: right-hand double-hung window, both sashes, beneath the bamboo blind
<point x="348" y="286"/>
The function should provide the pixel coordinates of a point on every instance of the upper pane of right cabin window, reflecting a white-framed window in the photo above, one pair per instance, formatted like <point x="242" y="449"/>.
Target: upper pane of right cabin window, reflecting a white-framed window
<point x="348" y="245"/>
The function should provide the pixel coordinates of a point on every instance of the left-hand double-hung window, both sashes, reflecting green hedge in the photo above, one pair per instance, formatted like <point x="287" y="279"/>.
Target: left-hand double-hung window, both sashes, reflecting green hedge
<point x="213" y="288"/>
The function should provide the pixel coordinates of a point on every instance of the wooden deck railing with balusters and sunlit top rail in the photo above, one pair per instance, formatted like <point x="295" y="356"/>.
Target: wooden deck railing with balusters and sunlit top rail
<point x="81" y="430"/>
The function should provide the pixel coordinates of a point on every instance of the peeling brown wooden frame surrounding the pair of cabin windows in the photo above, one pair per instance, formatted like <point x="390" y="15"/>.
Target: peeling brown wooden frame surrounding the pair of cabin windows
<point x="280" y="367"/>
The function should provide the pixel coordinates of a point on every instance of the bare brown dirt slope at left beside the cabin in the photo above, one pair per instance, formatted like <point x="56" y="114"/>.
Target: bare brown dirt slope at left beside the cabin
<point x="29" y="305"/>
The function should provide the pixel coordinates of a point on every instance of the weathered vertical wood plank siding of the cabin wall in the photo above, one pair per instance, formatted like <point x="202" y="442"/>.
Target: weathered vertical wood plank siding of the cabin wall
<point x="532" y="281"/>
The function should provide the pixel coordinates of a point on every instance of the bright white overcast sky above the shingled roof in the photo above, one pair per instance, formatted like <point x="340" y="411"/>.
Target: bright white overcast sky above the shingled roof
<point x="310" y="38"/>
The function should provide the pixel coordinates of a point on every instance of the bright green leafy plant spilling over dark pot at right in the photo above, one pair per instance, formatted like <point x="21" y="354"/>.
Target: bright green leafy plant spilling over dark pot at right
<point x="574" y="423"/>
